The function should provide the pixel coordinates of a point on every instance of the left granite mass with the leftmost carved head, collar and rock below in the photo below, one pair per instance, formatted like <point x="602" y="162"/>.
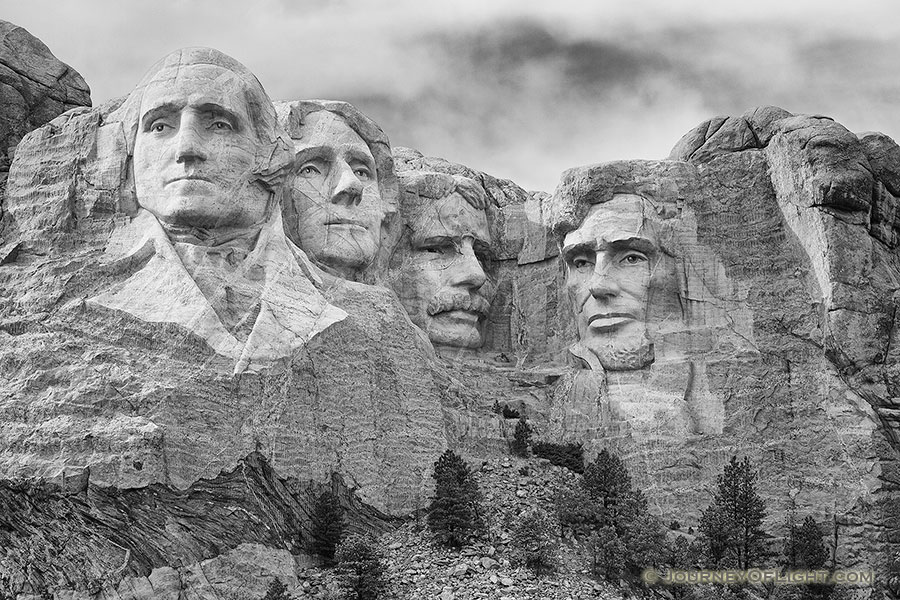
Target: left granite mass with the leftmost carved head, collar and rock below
<point x="168" y="351"/>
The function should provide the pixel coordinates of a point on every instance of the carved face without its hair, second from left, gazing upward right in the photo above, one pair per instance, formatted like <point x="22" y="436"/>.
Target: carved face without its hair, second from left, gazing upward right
<point x="335" y="194"/>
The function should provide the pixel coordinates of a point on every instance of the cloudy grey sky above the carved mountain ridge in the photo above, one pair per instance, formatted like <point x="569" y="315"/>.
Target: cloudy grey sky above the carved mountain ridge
<point x="519" y="89"/>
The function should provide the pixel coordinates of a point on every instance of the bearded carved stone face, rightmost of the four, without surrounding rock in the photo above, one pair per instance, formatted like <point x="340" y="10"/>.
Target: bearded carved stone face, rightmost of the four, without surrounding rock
<point x="609" y="262"/>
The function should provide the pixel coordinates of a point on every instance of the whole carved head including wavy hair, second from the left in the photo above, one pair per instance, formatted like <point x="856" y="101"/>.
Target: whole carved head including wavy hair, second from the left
<point x="342" y="185"/>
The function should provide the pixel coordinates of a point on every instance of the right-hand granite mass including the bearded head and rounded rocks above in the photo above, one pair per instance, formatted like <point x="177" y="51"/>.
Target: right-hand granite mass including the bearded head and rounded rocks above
<point x="767" y="266"/>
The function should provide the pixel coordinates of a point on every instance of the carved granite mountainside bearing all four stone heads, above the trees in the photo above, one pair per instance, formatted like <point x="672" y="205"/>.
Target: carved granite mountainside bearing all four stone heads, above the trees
<point x="176" y="385"/>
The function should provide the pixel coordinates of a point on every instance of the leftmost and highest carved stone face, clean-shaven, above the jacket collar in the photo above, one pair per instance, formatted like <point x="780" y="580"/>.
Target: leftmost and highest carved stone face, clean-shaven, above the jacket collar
<point x="195" y="150"/>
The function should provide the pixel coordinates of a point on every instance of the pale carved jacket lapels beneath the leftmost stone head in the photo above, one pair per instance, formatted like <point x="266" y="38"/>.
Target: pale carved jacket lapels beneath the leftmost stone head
<point x="159" y="289"/>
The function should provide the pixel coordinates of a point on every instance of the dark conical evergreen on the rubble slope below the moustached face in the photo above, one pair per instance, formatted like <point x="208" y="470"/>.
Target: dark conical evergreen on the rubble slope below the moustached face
<point x="453" y="515"/>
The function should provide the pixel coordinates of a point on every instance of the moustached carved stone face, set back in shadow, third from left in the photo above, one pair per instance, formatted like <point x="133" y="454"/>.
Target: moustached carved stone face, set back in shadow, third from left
<point x="443" y="284"/>
